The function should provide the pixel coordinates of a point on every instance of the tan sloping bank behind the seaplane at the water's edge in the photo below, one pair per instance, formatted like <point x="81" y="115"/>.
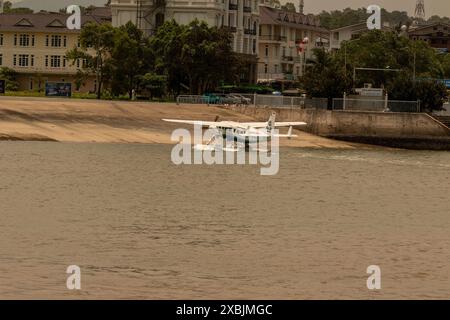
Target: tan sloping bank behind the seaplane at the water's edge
<point x="76" y="120"/>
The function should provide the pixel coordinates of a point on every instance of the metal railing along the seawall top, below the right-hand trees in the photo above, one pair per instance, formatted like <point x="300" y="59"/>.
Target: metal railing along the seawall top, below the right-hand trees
<point x="375" y="105"/>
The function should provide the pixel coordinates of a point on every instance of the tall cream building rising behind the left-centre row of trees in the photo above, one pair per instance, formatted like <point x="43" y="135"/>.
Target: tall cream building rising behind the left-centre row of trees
<point x="240" y="16"/>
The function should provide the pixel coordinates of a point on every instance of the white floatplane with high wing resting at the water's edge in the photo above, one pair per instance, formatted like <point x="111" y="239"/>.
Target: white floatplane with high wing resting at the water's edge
<point x="240" y="134"/>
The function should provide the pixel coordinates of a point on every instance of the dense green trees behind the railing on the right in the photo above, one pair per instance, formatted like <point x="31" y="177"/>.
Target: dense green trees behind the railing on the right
<point x="407" y="69"/>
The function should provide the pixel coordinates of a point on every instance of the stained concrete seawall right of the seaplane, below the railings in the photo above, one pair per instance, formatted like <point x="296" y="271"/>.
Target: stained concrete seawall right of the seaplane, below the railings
<point x="404" y="130"/>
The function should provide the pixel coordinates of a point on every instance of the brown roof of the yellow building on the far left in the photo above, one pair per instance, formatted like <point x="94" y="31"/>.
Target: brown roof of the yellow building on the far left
<point x="45" y="21"/>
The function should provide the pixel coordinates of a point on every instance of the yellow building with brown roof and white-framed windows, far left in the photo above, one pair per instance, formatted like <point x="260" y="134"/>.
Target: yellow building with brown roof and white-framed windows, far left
<point x="35" y="46"/>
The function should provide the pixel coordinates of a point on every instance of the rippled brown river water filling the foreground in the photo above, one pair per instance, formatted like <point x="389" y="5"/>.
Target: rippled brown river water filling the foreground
<point x="140" y="227"/>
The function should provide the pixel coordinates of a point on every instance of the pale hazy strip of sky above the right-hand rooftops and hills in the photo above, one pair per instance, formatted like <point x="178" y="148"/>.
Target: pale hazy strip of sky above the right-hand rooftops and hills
<point x="439" y="7"/>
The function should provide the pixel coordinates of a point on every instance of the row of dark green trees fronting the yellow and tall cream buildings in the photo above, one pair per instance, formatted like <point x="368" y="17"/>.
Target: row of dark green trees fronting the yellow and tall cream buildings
<point x="193" y="57"/>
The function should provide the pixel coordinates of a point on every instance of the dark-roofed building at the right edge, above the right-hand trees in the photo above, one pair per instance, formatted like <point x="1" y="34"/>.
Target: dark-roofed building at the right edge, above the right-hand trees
<point x="436" y="34"/>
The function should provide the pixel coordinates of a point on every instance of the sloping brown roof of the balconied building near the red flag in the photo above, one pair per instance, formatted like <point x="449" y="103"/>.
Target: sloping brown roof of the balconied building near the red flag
<point x="268" y="15"/>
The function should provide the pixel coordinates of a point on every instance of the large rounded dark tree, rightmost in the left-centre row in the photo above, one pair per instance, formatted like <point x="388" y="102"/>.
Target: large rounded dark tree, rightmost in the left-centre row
<point x="194" y="54"/>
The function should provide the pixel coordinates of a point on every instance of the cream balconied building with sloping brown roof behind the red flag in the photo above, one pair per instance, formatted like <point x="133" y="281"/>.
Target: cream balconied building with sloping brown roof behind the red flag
<point x="286" y="41"/>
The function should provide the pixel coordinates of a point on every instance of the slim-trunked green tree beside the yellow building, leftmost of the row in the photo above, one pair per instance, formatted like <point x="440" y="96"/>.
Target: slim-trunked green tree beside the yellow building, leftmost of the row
<point x="96" y="43"/>
